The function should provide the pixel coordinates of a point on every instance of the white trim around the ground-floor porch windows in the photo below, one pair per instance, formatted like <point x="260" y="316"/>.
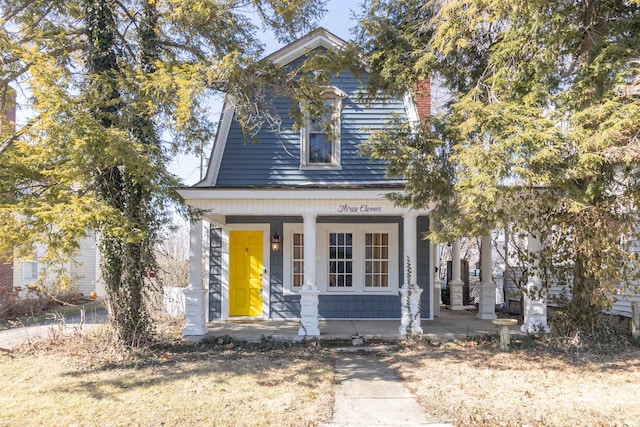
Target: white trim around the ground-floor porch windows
<point x="322" y="261"/>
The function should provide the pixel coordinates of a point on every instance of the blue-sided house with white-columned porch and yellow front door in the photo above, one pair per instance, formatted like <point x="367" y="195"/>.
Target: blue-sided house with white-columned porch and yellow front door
<point x="299" y="225"/>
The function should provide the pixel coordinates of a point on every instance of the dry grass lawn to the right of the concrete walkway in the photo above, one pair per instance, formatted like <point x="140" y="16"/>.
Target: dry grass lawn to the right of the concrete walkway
<point x="474" y="384"/>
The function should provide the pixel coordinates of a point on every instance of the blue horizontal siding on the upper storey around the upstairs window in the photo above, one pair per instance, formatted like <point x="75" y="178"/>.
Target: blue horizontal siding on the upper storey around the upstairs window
<point x="274" y="160"/>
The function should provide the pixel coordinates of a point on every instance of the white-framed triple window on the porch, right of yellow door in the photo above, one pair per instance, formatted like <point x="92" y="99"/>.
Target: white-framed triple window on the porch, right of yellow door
<point x="350" y="258"/>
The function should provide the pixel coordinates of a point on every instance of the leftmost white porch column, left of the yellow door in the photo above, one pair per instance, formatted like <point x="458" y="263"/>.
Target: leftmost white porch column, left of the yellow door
<point x="195" y="293"/>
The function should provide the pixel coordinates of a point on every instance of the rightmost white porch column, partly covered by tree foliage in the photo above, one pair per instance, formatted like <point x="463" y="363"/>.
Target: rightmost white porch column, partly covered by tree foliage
<point x="535" y="304"/>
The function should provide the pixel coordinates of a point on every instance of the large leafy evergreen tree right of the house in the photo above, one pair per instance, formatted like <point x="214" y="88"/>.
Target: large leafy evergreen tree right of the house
<point x="540" y="131"/>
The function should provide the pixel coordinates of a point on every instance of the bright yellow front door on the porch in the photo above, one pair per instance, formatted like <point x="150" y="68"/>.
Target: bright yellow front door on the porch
<point x="245" y="273"/>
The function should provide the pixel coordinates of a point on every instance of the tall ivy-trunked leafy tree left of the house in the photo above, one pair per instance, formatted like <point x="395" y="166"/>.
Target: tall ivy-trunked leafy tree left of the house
<point x="115" y="89"/>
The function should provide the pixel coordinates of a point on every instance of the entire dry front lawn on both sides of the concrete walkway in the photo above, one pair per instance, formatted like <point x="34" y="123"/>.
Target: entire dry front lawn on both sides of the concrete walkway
<point x="82" y="381"/>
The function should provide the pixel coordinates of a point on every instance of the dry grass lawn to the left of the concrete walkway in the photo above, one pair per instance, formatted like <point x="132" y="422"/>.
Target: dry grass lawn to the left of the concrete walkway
<point x="218" y="383"/>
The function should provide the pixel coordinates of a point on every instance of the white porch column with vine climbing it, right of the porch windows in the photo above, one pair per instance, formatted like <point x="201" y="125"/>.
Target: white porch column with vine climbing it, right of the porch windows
<point x="410" y="292"/>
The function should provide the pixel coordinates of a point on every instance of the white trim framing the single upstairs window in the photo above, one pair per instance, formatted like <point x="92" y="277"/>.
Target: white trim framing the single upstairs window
<point x="334" y="94"/>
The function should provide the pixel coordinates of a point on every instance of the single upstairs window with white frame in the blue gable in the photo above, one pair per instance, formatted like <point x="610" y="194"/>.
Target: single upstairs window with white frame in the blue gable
<point x="320" y="134"/>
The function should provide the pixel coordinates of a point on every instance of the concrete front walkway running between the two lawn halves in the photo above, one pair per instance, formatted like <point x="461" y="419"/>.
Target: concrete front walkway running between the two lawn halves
<point x="369" y="393"/>
